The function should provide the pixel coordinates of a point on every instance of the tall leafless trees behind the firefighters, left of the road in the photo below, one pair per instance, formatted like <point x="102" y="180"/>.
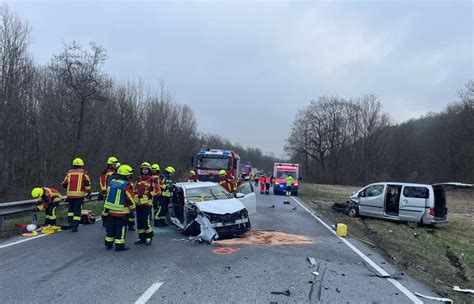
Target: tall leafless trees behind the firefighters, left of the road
<point x="71" y="108"/>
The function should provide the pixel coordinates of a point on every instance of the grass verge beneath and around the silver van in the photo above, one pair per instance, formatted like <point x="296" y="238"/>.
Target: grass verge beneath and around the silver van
<point x="440" y="257"/>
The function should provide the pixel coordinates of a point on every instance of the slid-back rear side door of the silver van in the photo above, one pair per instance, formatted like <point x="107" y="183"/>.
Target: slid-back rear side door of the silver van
<point x="413" y="202"/>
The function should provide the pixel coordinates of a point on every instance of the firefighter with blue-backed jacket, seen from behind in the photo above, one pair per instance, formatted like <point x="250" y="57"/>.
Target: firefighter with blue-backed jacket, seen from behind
<point x="120" y="202"/>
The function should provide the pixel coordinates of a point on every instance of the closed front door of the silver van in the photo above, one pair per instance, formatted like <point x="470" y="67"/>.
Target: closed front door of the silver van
<point x="371" y="200"/>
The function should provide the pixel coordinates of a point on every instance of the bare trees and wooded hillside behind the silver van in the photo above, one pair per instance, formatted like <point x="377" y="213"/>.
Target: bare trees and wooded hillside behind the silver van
<point x="354" y="142"/>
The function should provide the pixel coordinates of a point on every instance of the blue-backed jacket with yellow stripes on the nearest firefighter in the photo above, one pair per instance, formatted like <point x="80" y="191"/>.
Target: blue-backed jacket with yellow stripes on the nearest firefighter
<point x="120" y="198"/>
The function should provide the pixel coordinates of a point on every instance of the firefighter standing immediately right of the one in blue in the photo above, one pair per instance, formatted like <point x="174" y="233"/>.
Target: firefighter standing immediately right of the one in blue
<point x="144" y="200"/>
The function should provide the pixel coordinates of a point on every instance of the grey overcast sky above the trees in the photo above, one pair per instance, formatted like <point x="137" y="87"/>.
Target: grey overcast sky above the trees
<point x="246" y="68"/>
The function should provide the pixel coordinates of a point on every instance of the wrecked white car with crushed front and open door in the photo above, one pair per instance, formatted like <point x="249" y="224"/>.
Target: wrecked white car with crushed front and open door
<point x="228" y="215"/>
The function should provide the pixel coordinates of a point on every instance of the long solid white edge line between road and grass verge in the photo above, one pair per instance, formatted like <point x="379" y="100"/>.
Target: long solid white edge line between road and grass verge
<point x="379" y="269"/>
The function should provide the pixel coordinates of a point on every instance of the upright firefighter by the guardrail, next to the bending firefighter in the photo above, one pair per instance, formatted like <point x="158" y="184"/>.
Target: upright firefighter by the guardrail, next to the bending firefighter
<point x="78" y="185"/>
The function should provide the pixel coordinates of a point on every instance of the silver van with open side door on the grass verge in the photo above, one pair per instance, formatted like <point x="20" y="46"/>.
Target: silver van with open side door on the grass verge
<point x="414" y="203"/>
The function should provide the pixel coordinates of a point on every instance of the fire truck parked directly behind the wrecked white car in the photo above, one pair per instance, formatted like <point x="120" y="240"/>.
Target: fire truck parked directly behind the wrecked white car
<point x="210" y="162"/>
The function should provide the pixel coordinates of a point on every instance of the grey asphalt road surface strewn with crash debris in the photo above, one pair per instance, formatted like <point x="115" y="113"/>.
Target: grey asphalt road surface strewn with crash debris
<point x="73" y="268"/>
